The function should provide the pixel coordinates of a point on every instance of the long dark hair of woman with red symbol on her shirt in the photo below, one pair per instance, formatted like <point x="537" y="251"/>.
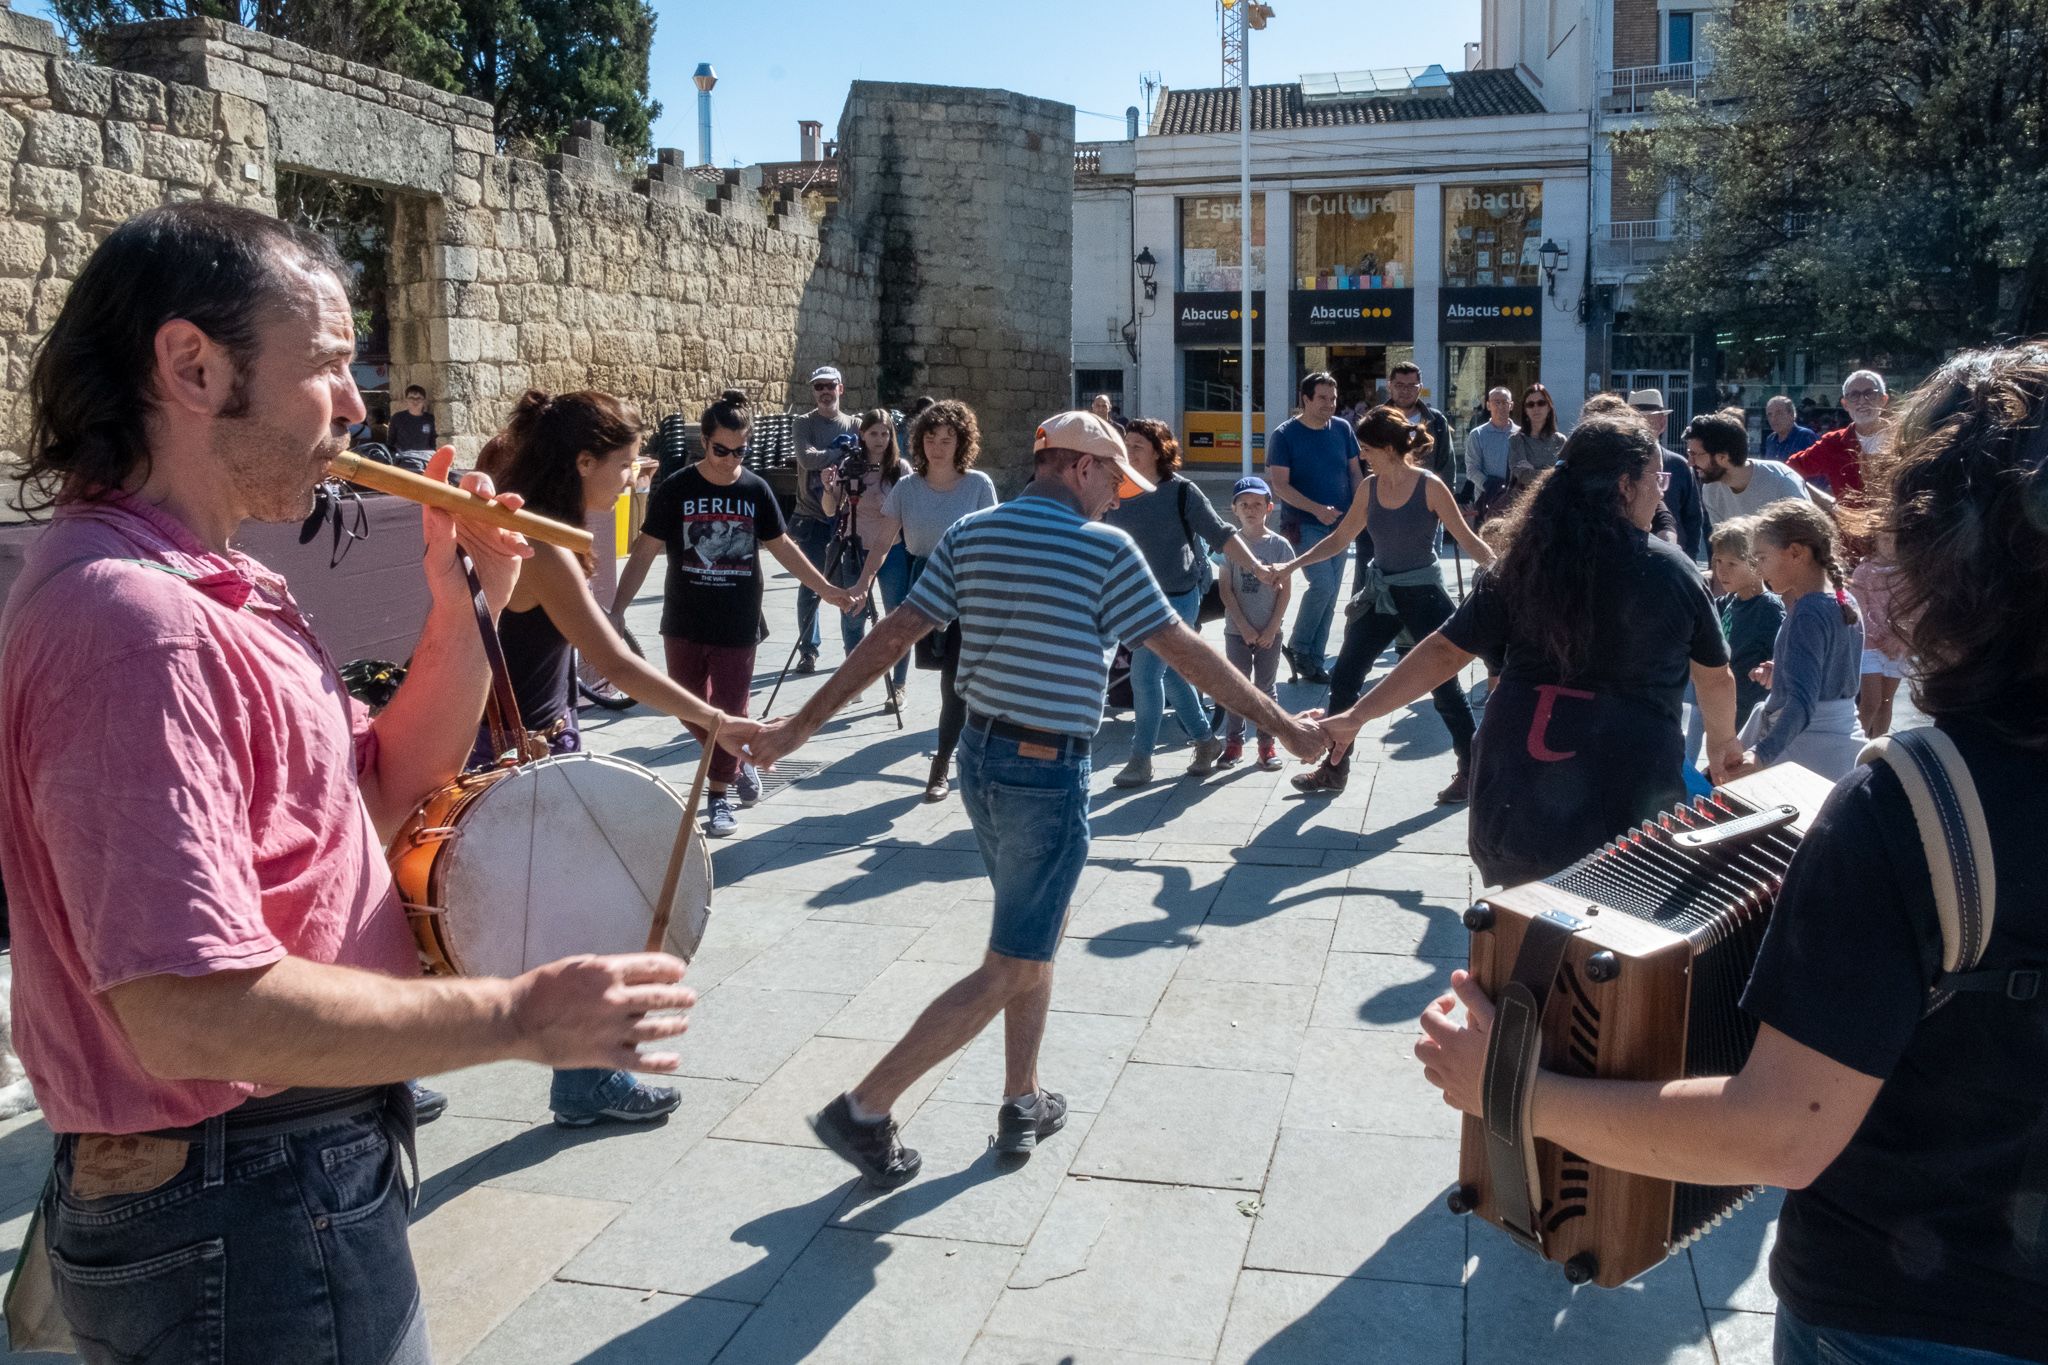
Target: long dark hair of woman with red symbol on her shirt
<point x="1564" y="541"/>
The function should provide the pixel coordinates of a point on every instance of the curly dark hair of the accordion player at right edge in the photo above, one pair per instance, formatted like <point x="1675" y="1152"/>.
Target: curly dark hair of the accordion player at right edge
<point x="1965" y="496"/>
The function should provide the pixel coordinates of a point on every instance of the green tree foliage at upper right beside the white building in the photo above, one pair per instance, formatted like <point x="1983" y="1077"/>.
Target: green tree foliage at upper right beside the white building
<point x="1869" y="169"/>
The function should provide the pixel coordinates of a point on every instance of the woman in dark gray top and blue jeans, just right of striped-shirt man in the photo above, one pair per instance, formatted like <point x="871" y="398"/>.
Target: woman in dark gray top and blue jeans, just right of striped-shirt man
<point x="1177" y="529"/>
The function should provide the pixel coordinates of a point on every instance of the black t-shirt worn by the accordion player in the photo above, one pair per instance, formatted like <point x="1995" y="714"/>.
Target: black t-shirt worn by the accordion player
<point x="1920" y="1229"/>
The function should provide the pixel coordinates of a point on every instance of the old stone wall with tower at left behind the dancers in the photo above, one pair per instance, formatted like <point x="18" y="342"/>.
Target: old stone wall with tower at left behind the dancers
<point x="947" y="273"/>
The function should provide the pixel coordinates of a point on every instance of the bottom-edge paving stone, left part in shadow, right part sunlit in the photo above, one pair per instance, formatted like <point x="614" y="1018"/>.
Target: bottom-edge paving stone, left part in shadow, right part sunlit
<point x="863" y="1298"/>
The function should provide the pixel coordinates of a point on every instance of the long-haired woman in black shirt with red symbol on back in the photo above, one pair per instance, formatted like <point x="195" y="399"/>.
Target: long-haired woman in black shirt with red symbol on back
<point x="1596" y="627"/>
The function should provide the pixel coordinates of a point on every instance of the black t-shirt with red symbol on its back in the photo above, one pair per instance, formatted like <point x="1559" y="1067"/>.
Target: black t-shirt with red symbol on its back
<point x="1562" y="766"/>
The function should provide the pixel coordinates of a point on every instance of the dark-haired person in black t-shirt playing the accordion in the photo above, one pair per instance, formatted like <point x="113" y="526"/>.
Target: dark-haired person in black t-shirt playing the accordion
<point x="1910" y="1127"/>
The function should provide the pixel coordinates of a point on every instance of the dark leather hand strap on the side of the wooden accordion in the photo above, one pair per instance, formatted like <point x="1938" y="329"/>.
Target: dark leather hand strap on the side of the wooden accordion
<point x="1512" y="1061"/>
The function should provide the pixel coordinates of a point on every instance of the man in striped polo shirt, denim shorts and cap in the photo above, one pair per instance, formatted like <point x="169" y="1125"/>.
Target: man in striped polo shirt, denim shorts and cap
<point x="1043" y="592"/>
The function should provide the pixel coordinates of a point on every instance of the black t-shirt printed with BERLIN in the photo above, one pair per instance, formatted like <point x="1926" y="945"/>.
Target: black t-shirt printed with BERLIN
<point x="714" y="539"/>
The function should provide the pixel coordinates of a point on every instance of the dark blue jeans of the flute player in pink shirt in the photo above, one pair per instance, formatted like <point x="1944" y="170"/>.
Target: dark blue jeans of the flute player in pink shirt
<point x="259" y="1251"/>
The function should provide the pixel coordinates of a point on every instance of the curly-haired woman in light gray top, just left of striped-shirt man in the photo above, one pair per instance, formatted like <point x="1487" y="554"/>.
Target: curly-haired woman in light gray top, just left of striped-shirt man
<point x="941" y="490"/>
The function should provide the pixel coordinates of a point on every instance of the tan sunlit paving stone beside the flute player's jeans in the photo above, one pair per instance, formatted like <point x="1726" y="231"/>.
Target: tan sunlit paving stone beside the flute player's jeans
<point x="482" y="1251"/>
